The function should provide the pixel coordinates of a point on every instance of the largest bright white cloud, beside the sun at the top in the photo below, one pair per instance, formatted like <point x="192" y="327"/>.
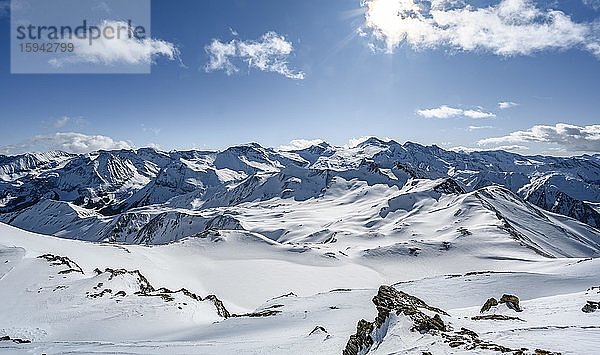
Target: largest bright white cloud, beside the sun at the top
<point x="508" y="28"/>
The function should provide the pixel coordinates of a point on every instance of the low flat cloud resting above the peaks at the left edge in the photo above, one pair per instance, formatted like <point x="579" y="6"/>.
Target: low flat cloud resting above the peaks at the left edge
<point x="69" y="142"/>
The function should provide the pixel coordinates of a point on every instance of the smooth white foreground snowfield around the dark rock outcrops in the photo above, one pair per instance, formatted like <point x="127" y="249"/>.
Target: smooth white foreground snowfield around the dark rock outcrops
<point x="287" y="301"/>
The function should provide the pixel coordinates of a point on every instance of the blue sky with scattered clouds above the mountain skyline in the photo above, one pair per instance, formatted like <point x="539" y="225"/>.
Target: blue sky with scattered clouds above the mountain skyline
<point x="357" y="80"/>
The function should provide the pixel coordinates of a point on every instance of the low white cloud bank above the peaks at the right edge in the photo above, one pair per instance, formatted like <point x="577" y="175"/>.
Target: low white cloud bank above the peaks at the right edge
<point x="570" y="137"/>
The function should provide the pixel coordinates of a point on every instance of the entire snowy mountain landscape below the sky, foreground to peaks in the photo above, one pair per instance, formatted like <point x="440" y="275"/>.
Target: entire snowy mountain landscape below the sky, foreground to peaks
<point x="376" y="248"/>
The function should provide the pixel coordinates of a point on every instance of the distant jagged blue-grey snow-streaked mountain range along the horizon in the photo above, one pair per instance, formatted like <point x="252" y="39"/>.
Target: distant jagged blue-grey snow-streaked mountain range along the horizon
<point x="115" y="182"/>
